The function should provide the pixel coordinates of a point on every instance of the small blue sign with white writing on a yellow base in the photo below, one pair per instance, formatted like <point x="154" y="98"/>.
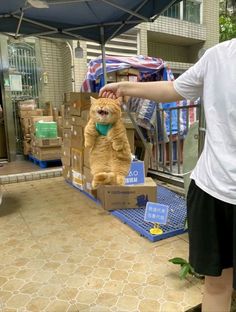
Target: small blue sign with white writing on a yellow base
<point x="156" y="213"/>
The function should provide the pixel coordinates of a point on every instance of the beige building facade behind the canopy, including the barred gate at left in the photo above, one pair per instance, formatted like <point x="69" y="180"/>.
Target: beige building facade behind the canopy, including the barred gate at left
<point x="50" y="68"/>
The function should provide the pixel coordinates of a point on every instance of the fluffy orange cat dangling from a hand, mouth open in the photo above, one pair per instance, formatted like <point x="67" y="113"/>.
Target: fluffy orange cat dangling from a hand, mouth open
<point x="110" y="155"/>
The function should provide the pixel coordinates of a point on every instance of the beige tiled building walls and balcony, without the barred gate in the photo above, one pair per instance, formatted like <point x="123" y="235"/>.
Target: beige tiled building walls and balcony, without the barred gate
<point x="177" y="37"/>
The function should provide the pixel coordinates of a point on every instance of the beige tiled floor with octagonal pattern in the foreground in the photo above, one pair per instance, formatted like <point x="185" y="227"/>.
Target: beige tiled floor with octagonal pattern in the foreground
<point x="59" y="251"/>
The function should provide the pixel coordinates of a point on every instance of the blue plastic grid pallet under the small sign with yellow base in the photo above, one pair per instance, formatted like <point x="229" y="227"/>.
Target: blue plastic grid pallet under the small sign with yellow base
<point x="176" y="217"/>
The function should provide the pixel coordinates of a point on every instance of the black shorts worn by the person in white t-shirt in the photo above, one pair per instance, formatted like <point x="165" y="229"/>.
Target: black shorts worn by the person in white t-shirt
<point x="212" y="233"/>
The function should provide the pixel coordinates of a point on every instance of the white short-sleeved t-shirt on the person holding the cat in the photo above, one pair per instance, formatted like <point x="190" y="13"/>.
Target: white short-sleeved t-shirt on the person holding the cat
<point x="213" y="78"/>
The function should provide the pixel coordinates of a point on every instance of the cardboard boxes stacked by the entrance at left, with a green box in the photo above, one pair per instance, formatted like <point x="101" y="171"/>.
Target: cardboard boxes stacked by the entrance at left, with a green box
<point x="37" y="142"/>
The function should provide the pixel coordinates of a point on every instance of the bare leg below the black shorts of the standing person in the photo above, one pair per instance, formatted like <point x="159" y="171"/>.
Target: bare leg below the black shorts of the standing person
<point x="218" y="292"/>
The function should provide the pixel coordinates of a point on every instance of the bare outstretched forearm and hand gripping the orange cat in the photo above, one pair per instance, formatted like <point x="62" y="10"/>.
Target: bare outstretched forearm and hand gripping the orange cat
<point x="159" y="91"/>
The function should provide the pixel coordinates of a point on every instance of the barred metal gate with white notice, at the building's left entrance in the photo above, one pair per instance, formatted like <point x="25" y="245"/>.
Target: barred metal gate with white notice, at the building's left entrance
<point x="22" y="65"/>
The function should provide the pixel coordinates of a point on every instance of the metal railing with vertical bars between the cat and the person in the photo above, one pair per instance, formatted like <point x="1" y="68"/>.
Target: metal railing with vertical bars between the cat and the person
<point x="171" y="130"/>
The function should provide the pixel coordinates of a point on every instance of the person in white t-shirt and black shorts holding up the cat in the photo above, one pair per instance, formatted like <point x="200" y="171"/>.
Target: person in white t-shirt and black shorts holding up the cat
<point x="211" y="200"/>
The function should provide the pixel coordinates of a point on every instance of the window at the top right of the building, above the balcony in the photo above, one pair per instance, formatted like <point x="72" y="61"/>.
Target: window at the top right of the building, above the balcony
<point x="187" y="10"/>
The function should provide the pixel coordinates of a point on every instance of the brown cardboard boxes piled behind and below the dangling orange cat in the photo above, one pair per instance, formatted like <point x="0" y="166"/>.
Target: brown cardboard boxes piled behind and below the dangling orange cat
<point x="75" y="158"/>
